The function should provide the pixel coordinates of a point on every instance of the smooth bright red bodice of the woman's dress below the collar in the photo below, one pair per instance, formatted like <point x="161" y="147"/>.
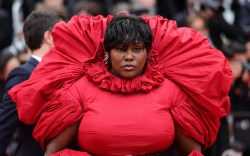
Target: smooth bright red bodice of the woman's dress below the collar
<point x="126" y="124"/>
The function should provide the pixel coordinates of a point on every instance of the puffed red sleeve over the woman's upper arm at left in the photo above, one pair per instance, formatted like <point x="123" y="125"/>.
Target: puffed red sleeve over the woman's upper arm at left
<point x="61" y="112"/>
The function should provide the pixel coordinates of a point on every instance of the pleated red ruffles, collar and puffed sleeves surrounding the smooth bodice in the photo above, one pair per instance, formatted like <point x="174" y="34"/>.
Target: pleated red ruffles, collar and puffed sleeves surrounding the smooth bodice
<point x="179" y="54"/>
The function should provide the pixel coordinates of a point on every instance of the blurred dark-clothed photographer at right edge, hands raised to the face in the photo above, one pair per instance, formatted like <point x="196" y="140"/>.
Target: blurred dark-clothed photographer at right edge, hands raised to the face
<point x="239" y="94"/>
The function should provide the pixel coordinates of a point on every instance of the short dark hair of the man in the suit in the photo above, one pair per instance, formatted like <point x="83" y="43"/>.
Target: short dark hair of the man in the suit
<point x="36" y="24"/>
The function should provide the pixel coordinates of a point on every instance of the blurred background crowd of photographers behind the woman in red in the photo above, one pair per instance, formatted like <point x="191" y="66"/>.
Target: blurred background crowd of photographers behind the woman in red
<point x="225" y="23"/>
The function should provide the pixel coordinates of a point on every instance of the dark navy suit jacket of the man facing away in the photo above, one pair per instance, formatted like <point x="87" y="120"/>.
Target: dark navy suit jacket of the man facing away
<point x="27" y="145"/>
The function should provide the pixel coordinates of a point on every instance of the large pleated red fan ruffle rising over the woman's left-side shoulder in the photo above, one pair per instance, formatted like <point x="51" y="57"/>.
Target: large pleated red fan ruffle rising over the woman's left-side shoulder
<point x="76" y="43"/>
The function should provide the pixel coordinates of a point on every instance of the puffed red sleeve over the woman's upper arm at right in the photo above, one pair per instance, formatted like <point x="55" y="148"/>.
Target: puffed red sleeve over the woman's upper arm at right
<point x="195" y="122"/>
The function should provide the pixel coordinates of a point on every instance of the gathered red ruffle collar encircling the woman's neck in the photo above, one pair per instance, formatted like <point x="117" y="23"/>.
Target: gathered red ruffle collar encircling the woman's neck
<point x="152" y="77"/>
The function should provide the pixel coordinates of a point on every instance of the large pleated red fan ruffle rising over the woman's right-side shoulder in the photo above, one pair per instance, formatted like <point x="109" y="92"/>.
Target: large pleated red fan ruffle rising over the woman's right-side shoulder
<point x="187" y="59"/>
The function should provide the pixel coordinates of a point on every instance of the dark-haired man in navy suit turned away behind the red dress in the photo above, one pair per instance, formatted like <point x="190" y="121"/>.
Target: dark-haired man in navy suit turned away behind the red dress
<point x="37" y="32"/>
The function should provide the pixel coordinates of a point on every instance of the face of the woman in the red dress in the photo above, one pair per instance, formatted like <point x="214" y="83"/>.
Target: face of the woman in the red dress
<point x="128" y="62"/>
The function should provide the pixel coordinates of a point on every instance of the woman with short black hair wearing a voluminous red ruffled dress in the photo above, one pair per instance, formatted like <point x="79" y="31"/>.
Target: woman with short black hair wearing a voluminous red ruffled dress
<point x="157" y="86"/>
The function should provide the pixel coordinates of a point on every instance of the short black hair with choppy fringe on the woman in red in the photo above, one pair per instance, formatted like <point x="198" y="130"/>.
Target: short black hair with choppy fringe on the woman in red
<point x="127" y="29"/>
